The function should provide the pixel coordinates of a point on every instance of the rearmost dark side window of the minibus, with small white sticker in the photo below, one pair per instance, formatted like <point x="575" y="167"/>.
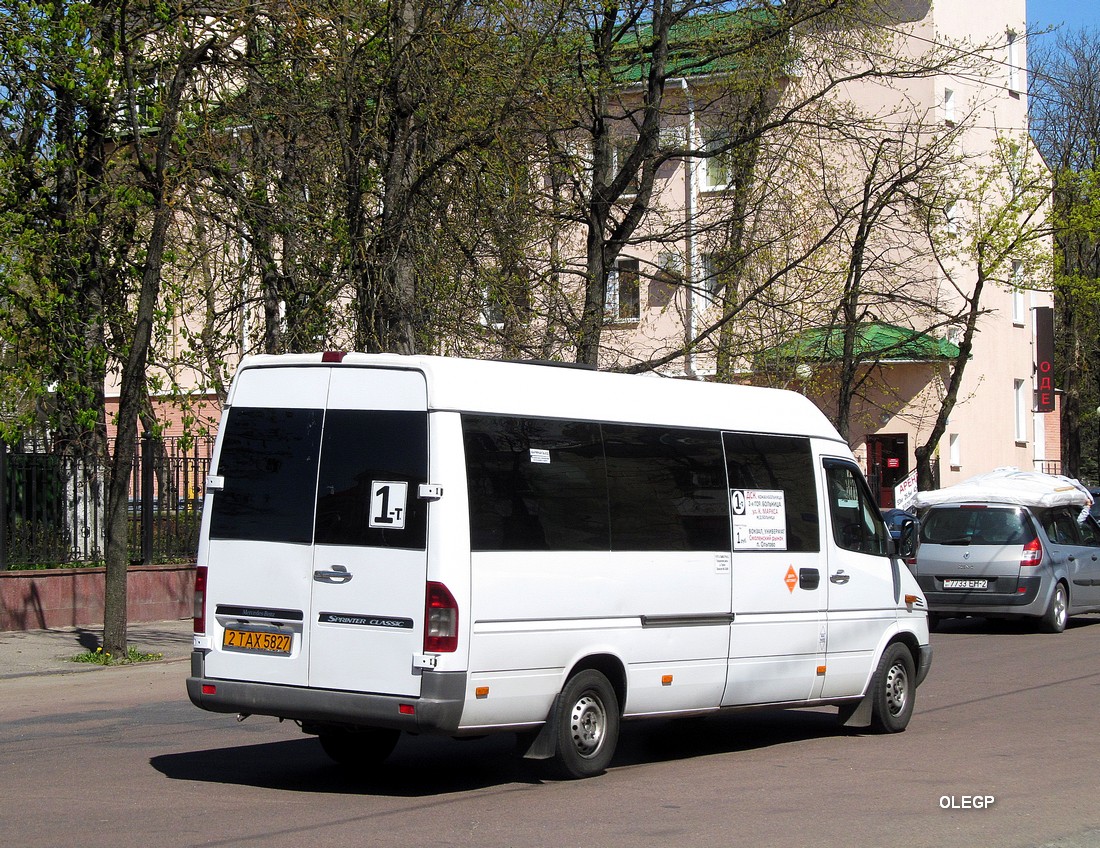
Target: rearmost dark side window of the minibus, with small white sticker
<point x="535" y="484"/>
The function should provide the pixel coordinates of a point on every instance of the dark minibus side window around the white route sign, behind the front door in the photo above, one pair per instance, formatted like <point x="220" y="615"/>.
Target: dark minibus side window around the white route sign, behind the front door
<point x="784" y="464"/>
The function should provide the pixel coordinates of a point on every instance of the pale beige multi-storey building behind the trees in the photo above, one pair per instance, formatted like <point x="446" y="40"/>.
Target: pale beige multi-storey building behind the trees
<point x="950" y="127"/>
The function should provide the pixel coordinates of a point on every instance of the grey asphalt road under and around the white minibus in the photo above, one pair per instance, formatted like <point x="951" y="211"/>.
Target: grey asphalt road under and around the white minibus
<point x="120" y="758"/>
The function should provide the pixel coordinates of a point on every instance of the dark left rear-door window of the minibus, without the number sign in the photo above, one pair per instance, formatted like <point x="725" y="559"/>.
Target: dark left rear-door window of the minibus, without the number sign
<point x="269" y="460"/>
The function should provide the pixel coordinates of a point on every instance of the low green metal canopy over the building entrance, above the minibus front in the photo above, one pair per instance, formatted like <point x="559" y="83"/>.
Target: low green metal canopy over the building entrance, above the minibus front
<point x="875" y="342"/>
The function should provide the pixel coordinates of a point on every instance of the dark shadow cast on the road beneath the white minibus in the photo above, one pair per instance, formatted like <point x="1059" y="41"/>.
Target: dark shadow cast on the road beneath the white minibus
<point x="427" y="766"/>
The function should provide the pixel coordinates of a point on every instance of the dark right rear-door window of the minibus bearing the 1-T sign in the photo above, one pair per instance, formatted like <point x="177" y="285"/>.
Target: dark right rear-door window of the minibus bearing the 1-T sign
<point x="366" y="458"/>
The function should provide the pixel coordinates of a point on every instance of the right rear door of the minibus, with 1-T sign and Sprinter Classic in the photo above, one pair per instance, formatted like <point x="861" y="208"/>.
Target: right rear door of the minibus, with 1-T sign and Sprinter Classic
<point x="370" y="559"/>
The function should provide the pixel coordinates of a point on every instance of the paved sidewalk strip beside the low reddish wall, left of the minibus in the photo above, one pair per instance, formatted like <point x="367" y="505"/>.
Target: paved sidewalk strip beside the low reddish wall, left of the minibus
<point x="26" y="653"/>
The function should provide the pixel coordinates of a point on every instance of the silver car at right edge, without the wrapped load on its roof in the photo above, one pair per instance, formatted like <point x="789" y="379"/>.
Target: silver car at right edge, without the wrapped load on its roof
<point x="1006" y="560"/>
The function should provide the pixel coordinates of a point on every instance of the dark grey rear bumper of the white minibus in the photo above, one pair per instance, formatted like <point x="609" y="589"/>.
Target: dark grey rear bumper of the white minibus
<point x="437" y="711"/>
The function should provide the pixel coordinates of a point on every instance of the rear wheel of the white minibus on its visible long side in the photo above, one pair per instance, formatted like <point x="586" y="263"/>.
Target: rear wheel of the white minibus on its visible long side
<point x="588" y="726"/>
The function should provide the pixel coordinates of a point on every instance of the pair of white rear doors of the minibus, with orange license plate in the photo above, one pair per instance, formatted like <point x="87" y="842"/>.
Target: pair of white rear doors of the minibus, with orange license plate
<point x="316" y="555"/>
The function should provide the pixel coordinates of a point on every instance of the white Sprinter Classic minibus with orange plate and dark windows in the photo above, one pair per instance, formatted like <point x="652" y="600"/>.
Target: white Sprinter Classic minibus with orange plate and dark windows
<point x="461" y="547"/>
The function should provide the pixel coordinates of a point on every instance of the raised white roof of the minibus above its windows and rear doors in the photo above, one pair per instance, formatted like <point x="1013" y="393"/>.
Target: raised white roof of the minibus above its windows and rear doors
<point x="500" y="388"/>
